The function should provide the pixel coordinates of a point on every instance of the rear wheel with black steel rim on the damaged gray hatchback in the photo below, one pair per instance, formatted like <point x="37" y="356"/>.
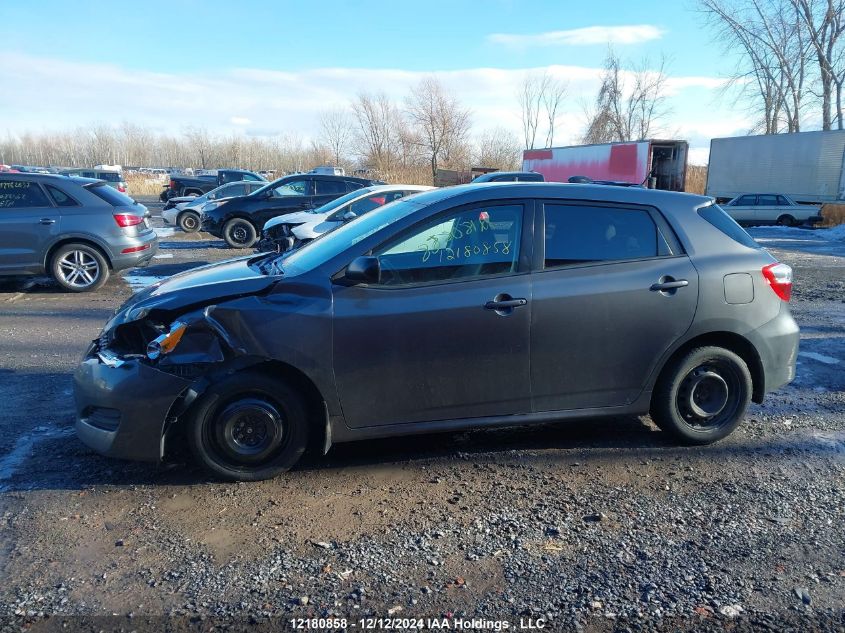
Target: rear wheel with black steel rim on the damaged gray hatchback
<point x="702" y="396"/>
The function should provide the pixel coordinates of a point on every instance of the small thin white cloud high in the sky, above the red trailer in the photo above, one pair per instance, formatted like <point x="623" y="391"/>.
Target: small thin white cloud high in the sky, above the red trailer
<point x="588" y="35"/>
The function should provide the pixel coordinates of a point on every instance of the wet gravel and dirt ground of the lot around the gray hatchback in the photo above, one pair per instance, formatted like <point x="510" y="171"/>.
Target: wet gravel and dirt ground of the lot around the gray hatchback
<point x="594" y="526"/>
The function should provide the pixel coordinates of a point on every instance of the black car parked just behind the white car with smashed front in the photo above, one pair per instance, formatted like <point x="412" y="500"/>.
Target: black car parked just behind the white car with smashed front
<point x="239" y="220"/>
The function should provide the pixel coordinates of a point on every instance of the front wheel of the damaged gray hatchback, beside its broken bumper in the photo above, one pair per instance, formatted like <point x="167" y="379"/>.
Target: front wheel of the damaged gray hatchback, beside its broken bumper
<point x="248" y="427"/>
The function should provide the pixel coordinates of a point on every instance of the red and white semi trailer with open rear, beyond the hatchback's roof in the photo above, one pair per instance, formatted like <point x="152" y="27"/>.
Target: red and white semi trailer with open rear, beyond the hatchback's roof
<point x="654" y="164"/>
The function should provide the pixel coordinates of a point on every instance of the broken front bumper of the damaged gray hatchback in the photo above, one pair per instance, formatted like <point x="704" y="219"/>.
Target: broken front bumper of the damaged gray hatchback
<point x="123" y="406"/>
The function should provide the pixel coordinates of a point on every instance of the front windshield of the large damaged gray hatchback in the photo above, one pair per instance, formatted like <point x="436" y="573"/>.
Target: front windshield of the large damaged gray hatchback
<point x="333" y="243"/>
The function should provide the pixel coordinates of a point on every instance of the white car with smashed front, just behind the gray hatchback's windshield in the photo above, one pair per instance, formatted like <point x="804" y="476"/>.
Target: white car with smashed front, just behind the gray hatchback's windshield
<point x="290" y="231"/>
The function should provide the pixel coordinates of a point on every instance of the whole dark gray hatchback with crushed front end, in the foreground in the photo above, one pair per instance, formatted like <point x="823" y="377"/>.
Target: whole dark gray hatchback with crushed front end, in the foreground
<point x="472" y="306"/>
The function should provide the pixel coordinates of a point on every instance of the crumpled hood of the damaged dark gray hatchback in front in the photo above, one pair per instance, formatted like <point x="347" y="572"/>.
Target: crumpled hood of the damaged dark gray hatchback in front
<point x="200" y="286"/>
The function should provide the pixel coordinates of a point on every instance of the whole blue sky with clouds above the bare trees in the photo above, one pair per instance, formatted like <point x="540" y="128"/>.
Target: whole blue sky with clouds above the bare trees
<point x="261" y="67"/>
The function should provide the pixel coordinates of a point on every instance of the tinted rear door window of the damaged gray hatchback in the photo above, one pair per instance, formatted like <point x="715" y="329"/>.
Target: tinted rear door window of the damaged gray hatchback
<point x="579" y="234"/>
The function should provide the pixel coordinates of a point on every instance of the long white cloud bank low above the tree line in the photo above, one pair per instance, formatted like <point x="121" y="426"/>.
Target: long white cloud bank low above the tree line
<point x="258" y="102"/>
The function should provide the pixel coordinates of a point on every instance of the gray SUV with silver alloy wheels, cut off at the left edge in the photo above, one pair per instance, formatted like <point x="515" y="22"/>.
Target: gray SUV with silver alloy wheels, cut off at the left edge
<point x="74" y="229"/>
